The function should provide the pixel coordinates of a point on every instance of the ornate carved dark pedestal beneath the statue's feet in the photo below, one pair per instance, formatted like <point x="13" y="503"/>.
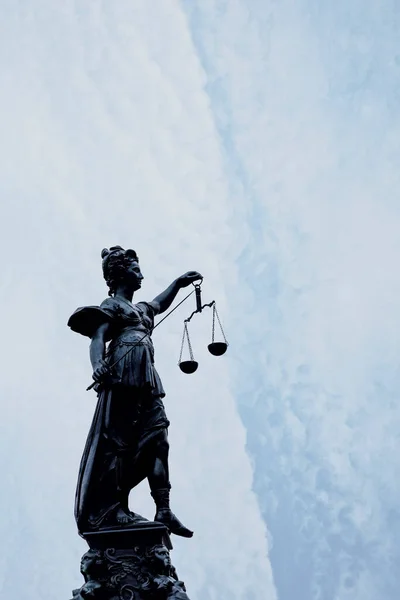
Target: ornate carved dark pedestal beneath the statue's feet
<point x="129" y="564"/>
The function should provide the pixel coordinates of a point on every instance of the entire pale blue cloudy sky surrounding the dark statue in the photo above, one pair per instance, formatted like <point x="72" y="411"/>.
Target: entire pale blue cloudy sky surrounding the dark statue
<point x="257" y="142"/>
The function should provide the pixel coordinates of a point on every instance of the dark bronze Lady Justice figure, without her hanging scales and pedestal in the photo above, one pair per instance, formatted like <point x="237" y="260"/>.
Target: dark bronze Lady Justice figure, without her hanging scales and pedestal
<point x="128" y="440"/>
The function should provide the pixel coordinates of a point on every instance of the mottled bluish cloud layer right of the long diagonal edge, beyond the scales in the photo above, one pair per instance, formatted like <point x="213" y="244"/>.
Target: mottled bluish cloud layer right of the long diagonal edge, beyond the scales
<point x="304" y="100"/>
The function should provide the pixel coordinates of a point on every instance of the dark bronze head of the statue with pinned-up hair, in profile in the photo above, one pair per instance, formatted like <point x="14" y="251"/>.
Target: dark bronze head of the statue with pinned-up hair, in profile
<point x="121" y="267"/>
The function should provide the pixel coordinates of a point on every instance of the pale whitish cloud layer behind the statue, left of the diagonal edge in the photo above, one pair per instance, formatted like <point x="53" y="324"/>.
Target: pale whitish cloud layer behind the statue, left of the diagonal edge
<point x="109" y="138"/>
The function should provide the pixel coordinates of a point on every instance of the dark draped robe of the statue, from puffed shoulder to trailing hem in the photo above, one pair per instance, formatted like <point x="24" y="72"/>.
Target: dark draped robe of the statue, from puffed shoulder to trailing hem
<point x="129" y="415"/>
